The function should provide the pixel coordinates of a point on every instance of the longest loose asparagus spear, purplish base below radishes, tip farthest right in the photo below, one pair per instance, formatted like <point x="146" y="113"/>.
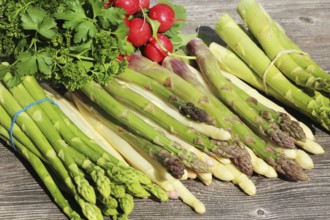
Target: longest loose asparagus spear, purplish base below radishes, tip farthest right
<point x="226" y="119"/>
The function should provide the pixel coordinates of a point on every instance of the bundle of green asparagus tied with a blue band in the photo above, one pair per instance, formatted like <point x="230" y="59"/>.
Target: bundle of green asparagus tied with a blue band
<point x="66" y="158"/>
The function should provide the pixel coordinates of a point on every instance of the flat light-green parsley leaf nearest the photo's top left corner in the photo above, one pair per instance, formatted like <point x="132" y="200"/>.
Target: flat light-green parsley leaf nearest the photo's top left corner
<point x="38" y="20"/>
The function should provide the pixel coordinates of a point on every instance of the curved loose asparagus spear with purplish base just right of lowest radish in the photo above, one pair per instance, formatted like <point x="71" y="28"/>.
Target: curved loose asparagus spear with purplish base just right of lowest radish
<point x="227" y="92"/>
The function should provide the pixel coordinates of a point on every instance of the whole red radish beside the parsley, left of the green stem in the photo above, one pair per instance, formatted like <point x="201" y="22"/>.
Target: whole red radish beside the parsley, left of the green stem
<point x="139" y="32"/>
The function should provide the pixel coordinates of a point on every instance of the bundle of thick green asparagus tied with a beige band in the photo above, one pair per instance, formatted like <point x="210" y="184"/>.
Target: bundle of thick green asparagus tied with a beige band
<point x="282" y="70"/>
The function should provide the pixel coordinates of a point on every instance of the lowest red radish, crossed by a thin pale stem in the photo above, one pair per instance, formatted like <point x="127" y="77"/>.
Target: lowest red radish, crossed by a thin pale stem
<point x="154" y="51"/>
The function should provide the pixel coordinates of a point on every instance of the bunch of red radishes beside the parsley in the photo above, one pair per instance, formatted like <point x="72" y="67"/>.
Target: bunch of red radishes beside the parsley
<point x="148" y="26"/>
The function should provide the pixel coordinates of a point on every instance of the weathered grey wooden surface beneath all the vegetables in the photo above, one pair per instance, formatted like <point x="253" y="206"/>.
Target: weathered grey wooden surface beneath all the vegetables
<point x="308" y="24"/>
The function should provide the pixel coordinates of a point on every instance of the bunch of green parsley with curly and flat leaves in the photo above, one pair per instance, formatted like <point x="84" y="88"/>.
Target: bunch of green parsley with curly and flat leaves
<point x="70" y="41"/>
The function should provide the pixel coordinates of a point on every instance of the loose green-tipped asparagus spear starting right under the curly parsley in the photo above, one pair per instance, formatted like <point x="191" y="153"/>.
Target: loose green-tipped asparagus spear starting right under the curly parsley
<point x="98" y="95"/>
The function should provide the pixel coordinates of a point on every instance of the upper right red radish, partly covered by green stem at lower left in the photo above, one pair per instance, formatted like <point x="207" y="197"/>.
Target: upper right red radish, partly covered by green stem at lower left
<point x="164" y="14"/>
